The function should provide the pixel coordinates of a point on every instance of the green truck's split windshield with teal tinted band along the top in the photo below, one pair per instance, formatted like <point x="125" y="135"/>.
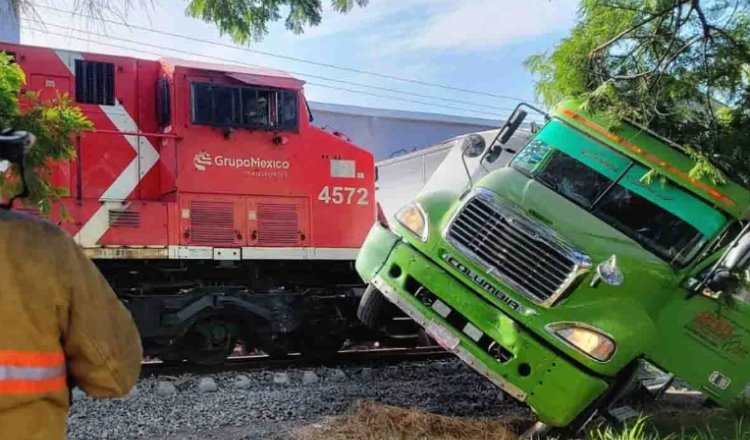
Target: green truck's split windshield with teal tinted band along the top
<point x="660" y="216"/>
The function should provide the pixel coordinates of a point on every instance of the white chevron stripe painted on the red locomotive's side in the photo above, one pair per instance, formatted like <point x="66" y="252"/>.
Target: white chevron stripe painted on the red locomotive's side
<point x="128" y="180"/>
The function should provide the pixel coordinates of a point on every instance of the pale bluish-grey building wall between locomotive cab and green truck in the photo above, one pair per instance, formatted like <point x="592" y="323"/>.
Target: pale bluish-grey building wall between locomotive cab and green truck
<point x="390" y="133"/>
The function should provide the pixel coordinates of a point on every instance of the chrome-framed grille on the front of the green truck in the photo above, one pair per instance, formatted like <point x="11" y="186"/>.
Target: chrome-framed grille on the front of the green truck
<point x="521" y="252"/>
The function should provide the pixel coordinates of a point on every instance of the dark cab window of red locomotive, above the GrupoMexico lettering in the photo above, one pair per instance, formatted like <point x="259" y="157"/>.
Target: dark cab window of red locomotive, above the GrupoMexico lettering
<point x="248" y="107"/>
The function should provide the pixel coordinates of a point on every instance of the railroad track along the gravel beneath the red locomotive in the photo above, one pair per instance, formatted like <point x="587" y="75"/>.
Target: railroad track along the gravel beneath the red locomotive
<point x="378" y="356"/>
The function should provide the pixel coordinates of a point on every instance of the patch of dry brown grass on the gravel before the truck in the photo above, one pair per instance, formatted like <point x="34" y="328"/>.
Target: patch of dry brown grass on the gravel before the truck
<point x="373" y="421"/>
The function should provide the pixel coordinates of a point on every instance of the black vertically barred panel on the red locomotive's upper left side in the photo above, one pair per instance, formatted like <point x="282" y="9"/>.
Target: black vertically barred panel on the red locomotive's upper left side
<point x="95" y="82"/>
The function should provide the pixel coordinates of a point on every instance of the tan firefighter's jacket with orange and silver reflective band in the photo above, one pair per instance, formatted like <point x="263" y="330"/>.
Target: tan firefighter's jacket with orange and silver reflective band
<point x="60" y="324"/>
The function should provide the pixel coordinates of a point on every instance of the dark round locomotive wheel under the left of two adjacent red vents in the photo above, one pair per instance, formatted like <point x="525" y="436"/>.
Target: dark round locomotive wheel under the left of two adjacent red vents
<point x="210" y="342"/>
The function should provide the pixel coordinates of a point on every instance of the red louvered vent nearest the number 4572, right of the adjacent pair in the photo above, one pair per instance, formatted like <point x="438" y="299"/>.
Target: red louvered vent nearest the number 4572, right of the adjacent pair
<point x="278" y="225"/>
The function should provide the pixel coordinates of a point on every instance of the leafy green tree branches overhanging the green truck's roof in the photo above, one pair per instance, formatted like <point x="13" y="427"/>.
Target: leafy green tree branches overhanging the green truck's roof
<point x="651" y="62"/>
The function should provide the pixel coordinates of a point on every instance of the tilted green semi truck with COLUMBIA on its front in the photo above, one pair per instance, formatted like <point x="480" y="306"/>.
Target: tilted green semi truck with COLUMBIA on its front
<point x="558" y="275"/>
